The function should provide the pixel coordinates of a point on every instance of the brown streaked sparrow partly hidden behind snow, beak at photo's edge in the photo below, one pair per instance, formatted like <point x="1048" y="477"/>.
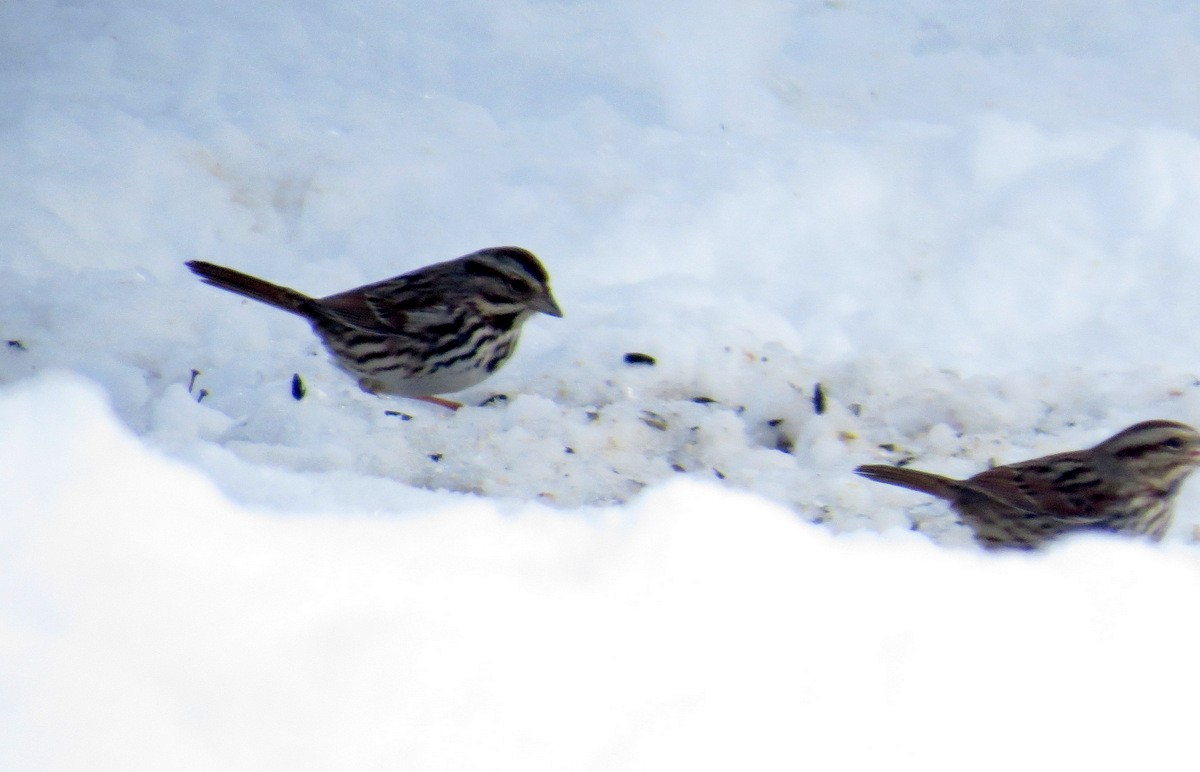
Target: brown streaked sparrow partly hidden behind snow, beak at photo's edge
<point x="1127" y="484"/>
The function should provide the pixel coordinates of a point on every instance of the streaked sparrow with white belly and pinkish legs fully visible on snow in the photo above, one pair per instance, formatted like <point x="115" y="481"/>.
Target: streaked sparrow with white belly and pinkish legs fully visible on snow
<point x="437" y="330"/>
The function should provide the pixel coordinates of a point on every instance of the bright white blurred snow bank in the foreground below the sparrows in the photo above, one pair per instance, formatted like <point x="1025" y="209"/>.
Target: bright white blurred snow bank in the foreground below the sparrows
<point x="151" y="623"/>
